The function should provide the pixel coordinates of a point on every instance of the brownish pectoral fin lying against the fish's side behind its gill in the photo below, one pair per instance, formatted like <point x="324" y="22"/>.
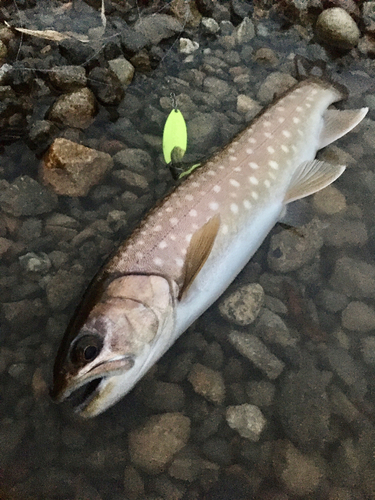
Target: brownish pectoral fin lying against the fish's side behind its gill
<point x="198" y="251"/>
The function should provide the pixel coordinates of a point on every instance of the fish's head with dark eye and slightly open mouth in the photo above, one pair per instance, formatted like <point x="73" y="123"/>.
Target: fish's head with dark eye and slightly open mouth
<point x="109" y="346"/>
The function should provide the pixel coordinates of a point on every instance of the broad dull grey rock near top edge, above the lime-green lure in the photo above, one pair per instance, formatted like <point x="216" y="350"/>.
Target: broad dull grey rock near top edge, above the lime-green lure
<point x="157" y="27"/>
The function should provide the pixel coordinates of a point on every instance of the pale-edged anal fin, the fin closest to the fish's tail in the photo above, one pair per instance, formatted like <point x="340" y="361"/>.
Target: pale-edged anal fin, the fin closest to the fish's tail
<point x="338" y="123"/>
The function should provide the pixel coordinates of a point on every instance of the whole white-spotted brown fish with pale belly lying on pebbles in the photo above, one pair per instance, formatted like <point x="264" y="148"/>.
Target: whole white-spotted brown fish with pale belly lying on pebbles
<point x="190" y="247"/>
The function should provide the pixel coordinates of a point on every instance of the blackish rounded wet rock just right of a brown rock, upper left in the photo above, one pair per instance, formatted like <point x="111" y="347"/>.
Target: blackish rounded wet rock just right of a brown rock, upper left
<point x="106" y="86"/>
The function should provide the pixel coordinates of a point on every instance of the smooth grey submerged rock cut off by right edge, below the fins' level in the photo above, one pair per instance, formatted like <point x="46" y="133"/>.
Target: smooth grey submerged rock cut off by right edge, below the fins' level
<point x="354" y="278"/>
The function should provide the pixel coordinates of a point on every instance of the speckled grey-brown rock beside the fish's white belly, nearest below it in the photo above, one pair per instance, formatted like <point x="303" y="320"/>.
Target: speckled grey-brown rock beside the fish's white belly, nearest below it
<point x="243" y="306"/>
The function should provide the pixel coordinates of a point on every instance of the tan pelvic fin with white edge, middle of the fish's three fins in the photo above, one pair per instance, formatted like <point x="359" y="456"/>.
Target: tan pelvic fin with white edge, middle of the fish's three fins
<point x="310" y="177"/>
